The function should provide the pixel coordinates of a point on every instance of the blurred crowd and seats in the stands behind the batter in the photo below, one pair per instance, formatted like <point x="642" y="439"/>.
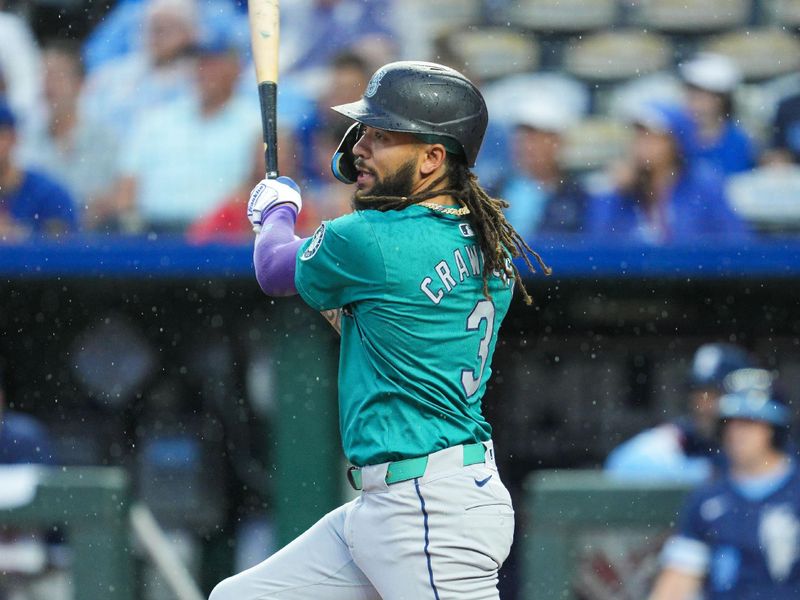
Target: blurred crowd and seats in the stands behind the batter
<point x="150" y="124"/>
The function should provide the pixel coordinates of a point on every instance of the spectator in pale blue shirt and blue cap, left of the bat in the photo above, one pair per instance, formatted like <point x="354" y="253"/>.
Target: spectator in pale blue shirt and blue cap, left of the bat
<point x="185" y="158"/>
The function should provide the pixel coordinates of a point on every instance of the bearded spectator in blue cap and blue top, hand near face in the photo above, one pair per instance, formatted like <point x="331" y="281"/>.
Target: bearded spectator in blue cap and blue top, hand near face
<point x="659" y="197"/>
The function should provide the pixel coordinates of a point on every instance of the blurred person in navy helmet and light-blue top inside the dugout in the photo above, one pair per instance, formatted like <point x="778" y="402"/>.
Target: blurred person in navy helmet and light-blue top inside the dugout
<point x="685" y="449"/>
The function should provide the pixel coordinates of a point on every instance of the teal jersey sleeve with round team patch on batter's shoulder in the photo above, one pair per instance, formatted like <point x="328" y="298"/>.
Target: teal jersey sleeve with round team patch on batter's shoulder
<point x="341" y="263"/>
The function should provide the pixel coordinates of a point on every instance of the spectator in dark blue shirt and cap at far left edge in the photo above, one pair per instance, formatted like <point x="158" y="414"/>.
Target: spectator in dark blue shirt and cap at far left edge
<point x="30" y="202"/>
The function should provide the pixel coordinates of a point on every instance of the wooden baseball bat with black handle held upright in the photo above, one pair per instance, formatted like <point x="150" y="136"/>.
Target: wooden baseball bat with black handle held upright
<point x="264" y="18"/>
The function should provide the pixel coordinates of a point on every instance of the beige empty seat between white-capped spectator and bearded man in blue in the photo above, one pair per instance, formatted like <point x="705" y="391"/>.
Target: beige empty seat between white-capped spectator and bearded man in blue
<point x="593" y="143"/>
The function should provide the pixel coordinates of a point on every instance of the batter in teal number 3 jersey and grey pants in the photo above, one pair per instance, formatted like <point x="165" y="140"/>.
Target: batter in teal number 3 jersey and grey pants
<point x="418" y="280"/>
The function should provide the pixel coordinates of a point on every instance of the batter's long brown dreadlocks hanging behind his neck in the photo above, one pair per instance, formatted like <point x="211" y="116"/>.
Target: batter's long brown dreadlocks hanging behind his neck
<point x="497" y="238"/>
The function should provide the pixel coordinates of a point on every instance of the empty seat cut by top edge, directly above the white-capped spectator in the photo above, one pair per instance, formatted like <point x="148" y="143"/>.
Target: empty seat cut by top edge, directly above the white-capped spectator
<point x="693" y="16"/>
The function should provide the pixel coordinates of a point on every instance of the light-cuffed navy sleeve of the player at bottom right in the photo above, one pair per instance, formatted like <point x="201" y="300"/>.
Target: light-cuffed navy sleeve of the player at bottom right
<point x="687" y="551"/>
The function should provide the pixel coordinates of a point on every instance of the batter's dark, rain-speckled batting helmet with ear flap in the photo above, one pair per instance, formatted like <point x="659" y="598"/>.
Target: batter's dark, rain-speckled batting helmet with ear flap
<point x="435" y="102"/>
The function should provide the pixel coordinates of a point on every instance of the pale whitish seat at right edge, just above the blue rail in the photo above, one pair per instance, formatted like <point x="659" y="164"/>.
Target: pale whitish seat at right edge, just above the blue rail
<point x="767" y="197"/>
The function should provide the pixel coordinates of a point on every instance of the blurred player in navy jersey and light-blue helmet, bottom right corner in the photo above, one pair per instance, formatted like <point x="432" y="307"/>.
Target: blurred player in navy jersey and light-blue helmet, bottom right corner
<point x="739" y="538"/>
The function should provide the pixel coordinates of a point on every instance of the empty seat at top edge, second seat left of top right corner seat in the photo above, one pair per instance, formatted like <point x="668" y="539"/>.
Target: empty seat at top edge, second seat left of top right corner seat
<point x="562" y="16"/>
